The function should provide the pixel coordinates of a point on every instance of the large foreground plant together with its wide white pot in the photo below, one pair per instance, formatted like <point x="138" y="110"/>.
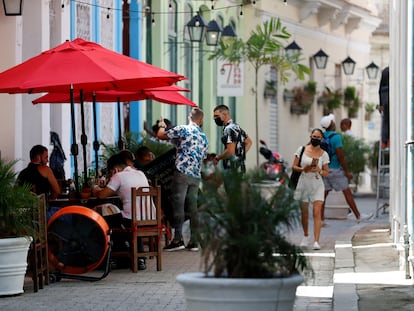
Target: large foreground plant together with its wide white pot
<point x="247" y="260"/>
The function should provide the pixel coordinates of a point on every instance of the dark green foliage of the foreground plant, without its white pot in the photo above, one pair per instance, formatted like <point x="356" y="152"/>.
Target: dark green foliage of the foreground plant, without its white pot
<point x="242" y="232"/>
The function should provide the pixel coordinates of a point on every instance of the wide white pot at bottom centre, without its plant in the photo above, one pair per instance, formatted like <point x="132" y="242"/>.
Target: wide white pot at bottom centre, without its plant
<point x="211" y="294"/>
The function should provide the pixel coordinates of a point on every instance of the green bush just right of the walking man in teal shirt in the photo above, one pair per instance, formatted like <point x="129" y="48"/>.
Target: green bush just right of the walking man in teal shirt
<point x="357" y="153"/>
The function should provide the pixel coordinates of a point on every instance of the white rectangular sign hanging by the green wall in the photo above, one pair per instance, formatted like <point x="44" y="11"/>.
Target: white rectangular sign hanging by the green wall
<point x="229" y="79"/>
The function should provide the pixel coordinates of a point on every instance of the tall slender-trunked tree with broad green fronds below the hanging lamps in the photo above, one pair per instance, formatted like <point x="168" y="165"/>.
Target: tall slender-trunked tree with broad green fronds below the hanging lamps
<point x="264" y="47"/>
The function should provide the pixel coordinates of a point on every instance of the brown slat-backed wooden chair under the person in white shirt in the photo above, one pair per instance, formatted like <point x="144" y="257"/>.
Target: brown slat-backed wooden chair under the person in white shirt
<point x="146" y="223"/>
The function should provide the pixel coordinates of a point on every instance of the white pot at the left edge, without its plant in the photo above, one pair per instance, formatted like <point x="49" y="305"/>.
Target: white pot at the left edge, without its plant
<point x="13" y="264"/>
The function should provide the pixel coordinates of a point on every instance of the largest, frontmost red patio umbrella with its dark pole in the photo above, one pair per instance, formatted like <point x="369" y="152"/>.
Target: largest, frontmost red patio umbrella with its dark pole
<point x="82" y="65"/>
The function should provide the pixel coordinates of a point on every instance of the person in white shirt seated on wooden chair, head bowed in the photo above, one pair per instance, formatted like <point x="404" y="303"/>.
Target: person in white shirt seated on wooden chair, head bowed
<point x="123" y="178"/>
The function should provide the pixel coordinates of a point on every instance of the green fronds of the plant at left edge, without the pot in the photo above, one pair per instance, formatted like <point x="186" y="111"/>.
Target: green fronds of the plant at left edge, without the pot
<point x="17" y="204"/>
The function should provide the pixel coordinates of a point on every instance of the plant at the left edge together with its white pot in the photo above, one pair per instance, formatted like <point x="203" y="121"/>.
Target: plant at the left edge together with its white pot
<point x="17" y="208"/>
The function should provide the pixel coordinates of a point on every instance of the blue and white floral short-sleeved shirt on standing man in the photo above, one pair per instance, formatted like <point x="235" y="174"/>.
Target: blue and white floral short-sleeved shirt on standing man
<point x="192" y="146"/>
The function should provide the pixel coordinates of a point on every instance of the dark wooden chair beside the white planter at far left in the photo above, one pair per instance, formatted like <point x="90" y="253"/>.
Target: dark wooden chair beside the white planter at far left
<point x="38" y="264"/>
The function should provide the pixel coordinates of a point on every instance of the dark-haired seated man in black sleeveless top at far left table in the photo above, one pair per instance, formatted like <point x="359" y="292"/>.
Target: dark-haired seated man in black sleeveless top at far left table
<point x="39" y="175"/>
